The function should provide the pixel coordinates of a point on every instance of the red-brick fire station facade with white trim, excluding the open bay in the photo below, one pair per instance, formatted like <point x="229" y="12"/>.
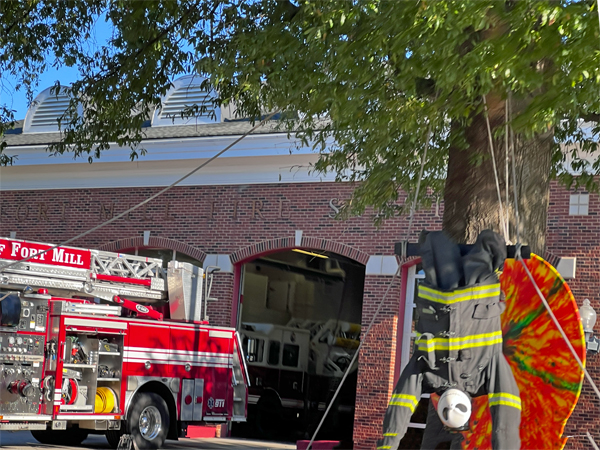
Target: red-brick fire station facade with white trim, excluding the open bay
<point x="259" y="198"/>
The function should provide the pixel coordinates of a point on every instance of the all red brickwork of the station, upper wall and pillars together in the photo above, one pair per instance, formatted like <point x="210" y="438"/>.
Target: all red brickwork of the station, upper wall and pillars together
<point x="248" y="219"/>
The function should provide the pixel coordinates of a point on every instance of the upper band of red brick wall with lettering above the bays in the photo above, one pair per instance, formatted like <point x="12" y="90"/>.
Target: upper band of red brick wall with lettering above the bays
<point x="214" y="219"/>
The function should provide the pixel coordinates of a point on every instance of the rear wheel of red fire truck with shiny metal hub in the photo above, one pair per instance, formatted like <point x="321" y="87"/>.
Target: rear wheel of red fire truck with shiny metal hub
<point x="148" y="420"/>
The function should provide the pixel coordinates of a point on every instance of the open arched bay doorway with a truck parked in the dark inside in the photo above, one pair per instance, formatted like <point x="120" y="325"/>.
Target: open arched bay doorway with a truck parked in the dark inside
<point x="299" y="316"/>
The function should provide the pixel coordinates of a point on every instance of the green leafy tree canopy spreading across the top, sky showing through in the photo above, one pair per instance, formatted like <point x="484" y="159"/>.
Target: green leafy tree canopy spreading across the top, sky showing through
<point x="381" y="79"/>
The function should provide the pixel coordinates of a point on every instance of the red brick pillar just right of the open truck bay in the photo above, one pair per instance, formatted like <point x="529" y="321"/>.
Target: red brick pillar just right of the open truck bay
<point x="376" y="360"/>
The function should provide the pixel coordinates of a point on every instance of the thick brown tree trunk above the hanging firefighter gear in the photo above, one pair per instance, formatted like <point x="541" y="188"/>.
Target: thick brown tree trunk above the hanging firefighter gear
<point x="471" y="200"/>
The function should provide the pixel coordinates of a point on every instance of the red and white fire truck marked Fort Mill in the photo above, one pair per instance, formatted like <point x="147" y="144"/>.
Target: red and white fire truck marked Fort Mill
<point x="107" y="343"/>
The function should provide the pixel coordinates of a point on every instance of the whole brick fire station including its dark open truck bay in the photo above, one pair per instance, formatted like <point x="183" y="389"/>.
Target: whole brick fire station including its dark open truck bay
<point x="297" y="283"/>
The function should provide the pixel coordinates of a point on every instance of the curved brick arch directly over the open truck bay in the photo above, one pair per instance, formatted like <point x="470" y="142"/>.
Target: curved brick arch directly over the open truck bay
<point x="279" y="244"/>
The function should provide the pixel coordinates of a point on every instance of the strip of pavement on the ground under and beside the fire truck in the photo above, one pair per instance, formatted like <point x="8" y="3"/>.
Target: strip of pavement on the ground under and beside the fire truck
<point x="20" y="440"/>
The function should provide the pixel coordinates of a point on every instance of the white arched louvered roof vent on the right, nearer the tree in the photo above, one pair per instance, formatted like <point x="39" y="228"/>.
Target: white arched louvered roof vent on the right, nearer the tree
<point x="184" y="93"/>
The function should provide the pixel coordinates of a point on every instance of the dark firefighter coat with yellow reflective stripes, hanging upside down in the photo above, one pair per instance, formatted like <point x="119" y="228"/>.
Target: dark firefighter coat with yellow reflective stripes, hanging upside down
<point x="459" y="345"/>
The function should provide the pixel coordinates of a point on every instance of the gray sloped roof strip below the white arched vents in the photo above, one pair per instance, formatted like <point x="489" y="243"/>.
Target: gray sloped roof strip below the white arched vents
<point x="16" y="137"/>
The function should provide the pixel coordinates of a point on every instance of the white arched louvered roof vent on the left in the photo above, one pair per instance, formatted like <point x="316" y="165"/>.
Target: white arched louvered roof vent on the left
<point x="46" y="110"/>
